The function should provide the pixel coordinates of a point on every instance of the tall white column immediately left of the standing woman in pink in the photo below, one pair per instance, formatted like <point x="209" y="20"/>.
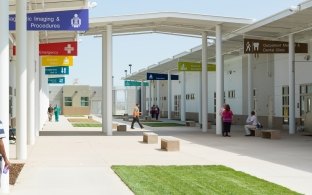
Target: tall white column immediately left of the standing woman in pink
<point x="220" y="79"/>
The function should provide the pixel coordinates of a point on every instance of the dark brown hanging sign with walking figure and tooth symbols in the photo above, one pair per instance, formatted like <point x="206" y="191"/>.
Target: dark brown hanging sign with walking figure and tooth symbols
<point x="256" y="46"/>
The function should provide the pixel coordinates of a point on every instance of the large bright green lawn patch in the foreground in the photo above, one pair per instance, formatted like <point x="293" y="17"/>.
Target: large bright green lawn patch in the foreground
<point x="194" y="180"/>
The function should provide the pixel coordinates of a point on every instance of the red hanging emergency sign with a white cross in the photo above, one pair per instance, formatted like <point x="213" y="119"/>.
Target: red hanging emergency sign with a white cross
<point x="58" y="49"/>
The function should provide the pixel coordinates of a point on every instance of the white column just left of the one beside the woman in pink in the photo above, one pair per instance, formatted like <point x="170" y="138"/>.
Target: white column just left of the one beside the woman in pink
<point x="204" y="82"/>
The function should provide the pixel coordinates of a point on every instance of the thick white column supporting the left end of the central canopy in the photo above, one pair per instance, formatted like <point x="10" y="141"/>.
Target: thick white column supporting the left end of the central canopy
<point x="107" y="82"/>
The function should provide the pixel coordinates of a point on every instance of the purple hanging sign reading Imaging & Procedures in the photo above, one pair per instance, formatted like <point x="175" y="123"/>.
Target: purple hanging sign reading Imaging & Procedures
<point x="69" y="20"/>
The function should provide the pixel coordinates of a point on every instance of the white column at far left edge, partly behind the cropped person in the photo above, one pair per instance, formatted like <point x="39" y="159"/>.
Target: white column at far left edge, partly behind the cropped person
<point x="4" y="83"/>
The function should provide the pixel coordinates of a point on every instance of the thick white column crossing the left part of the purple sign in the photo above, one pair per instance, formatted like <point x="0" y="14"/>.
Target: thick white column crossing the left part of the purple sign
<point x="21" y="84"/>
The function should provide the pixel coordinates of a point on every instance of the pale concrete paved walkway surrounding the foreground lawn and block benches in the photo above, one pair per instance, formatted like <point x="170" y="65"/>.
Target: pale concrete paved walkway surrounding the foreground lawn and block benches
<point x="67" y="160"/>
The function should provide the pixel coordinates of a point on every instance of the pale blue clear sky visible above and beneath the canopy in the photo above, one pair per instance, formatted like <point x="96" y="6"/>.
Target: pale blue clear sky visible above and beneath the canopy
<point x="145" y="50"/>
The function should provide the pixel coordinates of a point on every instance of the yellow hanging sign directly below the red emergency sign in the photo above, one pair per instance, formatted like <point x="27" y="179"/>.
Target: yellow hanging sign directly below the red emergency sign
<point x="57" y="60"/>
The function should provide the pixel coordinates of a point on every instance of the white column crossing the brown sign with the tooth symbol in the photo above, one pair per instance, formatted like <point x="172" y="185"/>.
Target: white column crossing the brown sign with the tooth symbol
<point x="291" y="69"/>
